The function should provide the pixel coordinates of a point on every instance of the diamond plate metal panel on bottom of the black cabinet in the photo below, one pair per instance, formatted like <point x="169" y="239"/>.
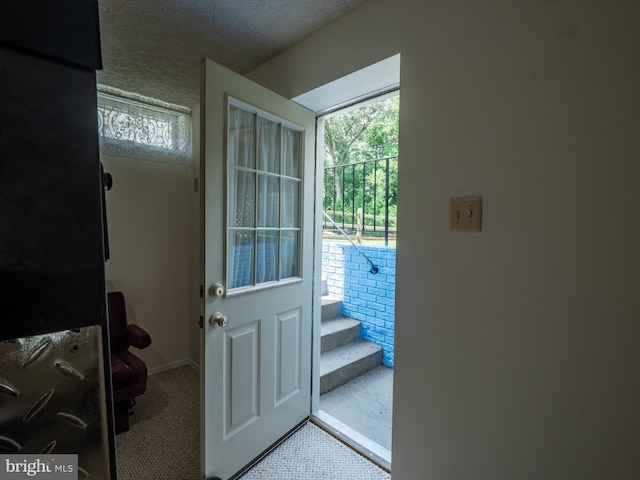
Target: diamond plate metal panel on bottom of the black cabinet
<point x="52" y="397"/>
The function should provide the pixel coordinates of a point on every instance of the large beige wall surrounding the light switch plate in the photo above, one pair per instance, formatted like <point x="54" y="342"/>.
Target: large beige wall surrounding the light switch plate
<point x="516" y="348"/>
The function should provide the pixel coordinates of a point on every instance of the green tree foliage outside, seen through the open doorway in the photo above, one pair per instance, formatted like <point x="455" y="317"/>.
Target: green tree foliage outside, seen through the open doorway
<point x="361" y="148"/>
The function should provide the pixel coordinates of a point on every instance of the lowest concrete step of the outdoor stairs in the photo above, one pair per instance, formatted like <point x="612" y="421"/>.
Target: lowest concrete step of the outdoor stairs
<point x="343" y="364"/>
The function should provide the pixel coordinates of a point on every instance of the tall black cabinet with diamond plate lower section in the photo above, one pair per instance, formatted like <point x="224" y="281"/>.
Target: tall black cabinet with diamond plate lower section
<point x="53" y="343"/>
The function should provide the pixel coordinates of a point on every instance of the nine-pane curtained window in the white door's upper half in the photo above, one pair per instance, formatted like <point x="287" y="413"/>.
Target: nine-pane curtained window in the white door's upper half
<point x="264" y="174"/>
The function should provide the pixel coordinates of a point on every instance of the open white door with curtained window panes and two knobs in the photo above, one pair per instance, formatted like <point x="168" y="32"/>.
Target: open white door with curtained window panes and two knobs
<point x="257" y="171"/>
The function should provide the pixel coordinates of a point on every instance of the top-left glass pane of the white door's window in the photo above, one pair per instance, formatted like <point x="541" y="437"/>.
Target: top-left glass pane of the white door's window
<point x="241" y="146"/>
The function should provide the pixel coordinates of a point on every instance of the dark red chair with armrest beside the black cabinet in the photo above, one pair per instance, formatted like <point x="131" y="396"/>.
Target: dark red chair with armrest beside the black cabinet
<point x="128" y="372"/>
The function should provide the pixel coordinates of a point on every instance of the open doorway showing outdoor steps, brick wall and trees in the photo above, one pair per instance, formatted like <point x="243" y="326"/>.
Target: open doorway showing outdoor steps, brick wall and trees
<point x="357" y="162"/>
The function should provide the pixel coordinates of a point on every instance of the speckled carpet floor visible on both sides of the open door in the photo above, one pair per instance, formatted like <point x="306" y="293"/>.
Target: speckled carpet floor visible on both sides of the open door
<point x="163" y="441"/>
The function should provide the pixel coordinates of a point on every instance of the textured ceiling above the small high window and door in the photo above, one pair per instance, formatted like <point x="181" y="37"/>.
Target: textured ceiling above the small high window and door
<point x="154" y="47"/>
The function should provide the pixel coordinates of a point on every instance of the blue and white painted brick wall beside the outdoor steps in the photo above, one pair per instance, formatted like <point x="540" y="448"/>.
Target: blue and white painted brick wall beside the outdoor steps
<point x="366" y="297"/>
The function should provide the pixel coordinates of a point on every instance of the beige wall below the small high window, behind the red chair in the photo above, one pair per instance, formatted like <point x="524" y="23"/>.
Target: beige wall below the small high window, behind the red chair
<point x="150" y="214"/>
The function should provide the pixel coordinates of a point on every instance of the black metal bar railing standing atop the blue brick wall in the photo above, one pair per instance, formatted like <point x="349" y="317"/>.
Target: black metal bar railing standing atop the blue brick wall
<point x="358" y="196"/>
